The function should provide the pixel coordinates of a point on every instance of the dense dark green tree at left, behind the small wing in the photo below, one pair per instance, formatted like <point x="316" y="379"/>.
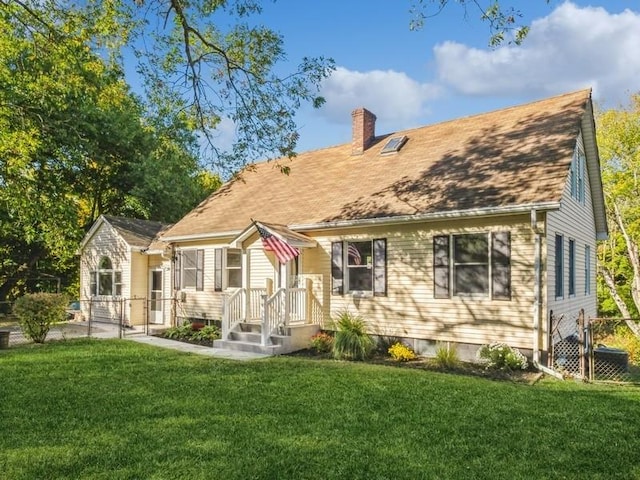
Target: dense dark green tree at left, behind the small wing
<point x="75" y="143"/>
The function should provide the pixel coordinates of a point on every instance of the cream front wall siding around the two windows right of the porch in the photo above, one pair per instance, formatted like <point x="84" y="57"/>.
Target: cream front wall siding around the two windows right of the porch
<point x="410" y="309"/>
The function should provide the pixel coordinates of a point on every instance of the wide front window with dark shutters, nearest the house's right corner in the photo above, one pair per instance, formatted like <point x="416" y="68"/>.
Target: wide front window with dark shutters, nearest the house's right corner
<point x="472" y="264"/>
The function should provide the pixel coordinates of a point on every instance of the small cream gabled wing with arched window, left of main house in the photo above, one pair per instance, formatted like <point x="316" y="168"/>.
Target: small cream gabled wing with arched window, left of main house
<point x="123" y="273"/>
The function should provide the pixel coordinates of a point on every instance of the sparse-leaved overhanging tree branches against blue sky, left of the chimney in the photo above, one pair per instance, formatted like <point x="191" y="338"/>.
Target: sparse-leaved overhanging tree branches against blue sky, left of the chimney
<point x="210" y="60"/>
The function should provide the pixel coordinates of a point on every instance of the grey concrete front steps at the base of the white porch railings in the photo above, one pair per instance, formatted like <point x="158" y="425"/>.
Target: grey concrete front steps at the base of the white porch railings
<point x="246" y="337"/>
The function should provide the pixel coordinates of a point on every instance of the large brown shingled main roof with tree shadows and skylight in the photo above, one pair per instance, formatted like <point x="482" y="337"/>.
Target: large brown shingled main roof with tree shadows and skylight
<point x="517" y="156"/>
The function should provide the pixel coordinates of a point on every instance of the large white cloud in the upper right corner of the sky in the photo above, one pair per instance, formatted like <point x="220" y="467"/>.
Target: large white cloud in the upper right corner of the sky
<point x="571" y="48"/>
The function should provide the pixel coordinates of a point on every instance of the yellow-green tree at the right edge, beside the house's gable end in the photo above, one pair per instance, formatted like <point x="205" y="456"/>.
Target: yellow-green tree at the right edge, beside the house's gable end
<point x="619" y="145"/>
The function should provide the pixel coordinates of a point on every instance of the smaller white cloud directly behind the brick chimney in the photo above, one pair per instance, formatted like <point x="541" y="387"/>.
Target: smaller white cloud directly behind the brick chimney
<point x="392" y="96"/>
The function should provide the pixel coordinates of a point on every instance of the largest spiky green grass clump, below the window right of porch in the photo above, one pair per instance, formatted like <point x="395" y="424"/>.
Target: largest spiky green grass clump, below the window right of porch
<point x="351" y="341"/>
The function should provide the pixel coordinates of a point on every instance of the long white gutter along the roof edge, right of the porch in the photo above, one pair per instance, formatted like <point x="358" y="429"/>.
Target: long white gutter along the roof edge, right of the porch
<point x="415" y="218"/>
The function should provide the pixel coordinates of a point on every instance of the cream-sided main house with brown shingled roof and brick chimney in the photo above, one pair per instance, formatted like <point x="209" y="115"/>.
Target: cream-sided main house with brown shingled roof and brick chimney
<point x="467" y="231"/>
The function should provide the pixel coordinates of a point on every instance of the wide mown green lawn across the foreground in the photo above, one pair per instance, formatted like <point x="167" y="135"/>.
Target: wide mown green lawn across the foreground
<point x="89" y="409"/>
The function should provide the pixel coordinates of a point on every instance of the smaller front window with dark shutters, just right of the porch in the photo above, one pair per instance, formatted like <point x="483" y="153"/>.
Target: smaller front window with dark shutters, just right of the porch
<point x="359" y="266"/>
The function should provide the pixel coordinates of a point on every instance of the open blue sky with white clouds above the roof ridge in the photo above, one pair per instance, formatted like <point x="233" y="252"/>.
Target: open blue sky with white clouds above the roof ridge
<point x="446" y="70"/>
